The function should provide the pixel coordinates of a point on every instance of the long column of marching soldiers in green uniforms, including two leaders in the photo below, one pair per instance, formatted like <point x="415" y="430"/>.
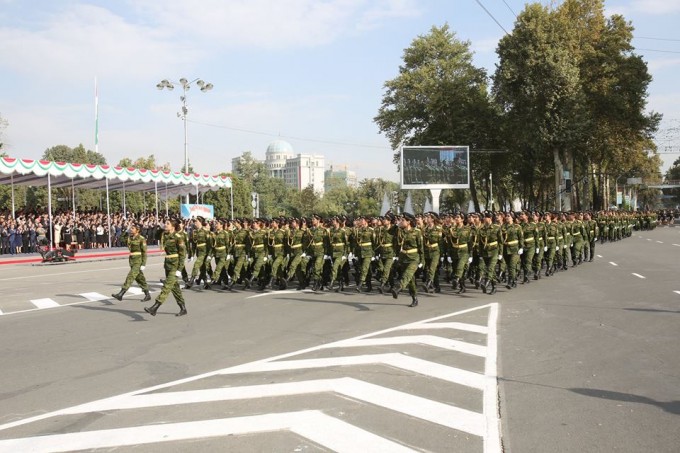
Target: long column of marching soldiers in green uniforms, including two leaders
<point x="394" y="252"/>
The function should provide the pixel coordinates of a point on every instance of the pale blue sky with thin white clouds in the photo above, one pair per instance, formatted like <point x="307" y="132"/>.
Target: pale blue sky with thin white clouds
<point x="310" y="72"/>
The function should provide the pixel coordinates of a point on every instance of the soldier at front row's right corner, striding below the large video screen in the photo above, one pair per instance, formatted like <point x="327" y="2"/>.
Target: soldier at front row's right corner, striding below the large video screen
<point x="410" y="245"/>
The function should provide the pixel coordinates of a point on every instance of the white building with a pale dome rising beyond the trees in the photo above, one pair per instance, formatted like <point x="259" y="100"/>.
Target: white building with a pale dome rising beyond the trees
<point x="298" y="171"/>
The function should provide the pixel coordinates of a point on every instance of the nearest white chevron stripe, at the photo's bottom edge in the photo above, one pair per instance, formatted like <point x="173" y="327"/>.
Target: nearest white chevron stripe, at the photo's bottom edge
<point x="316" y="426"/>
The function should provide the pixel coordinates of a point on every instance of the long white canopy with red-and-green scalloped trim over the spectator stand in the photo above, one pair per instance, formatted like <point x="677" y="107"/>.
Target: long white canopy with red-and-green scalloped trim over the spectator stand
<point x="84" y="176"/>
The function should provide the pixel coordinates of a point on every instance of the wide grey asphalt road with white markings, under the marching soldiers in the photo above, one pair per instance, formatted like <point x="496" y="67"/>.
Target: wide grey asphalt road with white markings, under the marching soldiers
<point x="586" y="362"/>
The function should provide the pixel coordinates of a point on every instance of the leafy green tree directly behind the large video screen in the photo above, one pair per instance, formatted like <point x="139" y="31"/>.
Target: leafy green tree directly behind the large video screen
<point x="438" y="98"/>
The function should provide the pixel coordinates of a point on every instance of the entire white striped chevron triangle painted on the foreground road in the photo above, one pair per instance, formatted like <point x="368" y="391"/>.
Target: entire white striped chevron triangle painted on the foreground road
<point x="320" y="428"/>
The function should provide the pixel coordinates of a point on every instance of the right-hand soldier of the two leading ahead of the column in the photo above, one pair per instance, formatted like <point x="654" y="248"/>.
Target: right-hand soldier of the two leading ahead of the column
<point x="174" y="248"/>
